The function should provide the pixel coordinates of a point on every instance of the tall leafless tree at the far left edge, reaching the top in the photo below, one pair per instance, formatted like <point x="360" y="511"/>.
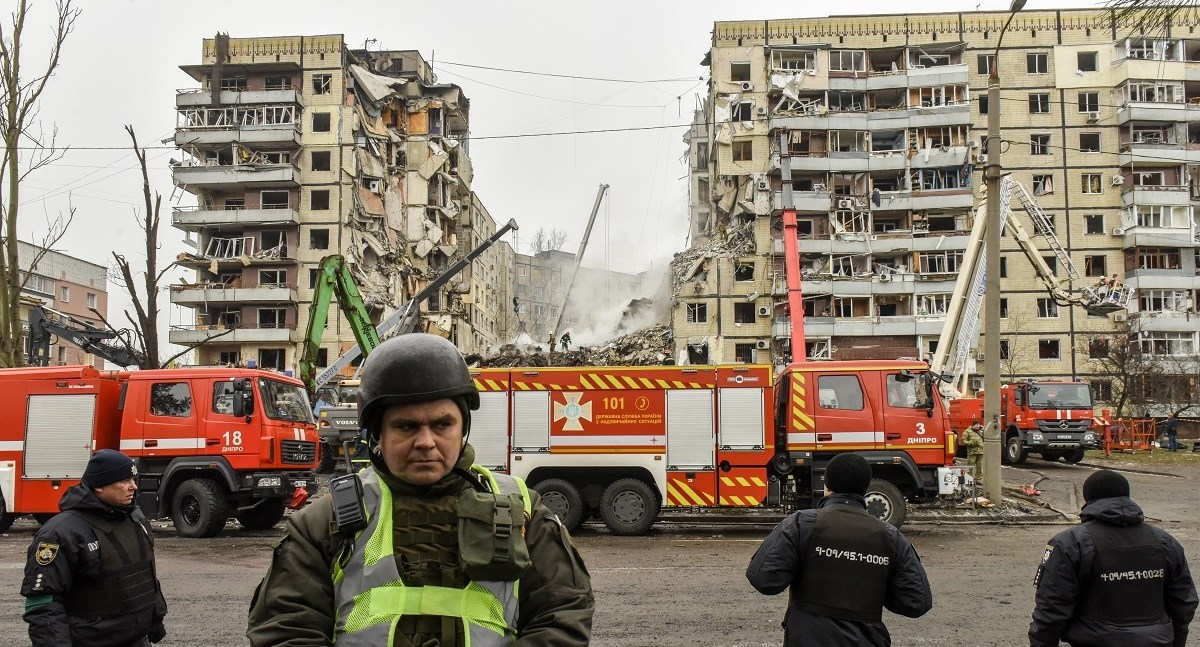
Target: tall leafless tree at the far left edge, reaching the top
<point x="25" y="153"/>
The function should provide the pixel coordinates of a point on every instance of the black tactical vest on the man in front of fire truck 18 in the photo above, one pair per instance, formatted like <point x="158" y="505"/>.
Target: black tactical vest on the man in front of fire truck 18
<point x="127" y="582"/>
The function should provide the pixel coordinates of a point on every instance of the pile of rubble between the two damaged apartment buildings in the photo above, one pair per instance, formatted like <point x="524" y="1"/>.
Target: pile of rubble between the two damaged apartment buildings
<point x="647" y="348"/>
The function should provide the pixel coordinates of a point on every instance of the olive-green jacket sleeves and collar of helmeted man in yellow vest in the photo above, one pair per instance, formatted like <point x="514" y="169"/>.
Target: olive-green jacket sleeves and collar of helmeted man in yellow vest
<point x="295" y="606"/>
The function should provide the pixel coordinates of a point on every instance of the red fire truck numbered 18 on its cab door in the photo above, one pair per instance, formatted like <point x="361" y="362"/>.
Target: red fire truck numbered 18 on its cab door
<point x="209" y="444"/>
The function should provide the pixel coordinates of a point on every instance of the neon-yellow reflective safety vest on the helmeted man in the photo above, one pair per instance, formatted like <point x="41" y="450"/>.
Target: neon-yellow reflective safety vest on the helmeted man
<point x="373" y="598"/>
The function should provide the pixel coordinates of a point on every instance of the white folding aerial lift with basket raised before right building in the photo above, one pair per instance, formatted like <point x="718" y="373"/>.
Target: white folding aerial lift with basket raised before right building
<point x="962" y="332"/>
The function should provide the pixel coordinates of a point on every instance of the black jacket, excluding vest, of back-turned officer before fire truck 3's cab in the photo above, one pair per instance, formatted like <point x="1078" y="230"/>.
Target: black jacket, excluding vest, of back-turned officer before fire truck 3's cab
<point x="778" y="566"/>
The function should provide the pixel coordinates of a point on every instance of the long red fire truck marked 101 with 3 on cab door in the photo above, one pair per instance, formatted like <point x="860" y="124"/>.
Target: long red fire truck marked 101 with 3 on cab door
<point x="627" y="442"/>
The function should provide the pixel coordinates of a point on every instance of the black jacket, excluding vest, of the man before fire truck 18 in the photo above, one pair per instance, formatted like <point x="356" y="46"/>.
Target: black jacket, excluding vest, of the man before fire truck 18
<point x="73" y="554"/>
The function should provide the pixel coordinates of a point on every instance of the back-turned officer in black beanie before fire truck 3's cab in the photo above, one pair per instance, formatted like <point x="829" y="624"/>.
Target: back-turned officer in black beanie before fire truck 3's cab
<point x="844" y="567"/>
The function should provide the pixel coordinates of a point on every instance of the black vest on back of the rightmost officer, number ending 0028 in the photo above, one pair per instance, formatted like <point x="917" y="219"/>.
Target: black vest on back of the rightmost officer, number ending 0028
<point x="1125" y="586"/>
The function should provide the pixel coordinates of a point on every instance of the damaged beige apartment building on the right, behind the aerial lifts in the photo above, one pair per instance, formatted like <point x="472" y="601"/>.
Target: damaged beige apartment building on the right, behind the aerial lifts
<point x="883" y="121"/>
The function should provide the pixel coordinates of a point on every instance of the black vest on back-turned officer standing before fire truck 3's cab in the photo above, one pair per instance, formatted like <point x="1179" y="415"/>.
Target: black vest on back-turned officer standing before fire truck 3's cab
<point x="845" y="573"/>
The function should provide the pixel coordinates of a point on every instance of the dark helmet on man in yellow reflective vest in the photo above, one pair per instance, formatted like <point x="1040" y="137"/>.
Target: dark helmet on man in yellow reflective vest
<point x="415" y="368"/>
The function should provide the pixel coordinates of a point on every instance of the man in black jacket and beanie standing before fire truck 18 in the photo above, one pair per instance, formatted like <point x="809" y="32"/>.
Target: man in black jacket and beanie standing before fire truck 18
<point x="91" y="574"/>
